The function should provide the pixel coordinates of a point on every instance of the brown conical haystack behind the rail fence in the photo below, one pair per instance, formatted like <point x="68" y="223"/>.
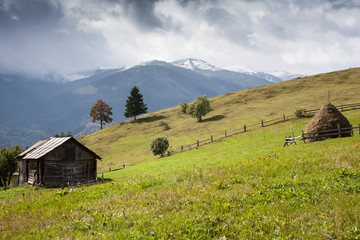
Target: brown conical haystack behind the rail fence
<point x="327" y="118"/>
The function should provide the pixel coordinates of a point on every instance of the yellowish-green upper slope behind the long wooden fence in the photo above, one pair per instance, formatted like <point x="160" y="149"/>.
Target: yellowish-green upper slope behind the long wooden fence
<point x="129" y="142"/>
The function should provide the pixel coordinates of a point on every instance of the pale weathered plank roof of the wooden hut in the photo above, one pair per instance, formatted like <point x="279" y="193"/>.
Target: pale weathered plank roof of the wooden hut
<point x="43" y="147"/>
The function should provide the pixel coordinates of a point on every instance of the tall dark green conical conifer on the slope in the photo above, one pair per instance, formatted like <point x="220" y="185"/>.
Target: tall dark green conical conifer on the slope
<point x="135" y="104"/>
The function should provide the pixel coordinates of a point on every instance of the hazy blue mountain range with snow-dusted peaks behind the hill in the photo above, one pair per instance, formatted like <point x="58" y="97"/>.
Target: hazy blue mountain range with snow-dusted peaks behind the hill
<point x="34" y="108"/>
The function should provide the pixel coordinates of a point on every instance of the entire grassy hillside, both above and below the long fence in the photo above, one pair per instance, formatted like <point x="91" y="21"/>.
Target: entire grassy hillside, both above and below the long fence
<point x="245" y="187"/>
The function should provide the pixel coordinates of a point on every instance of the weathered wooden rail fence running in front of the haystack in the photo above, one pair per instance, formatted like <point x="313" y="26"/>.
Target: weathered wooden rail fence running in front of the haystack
<point x="321" y="135"/>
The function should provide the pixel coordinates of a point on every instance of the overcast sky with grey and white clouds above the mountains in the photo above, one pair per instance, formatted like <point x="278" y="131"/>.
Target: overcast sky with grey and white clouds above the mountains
<point x="64" y="36"/>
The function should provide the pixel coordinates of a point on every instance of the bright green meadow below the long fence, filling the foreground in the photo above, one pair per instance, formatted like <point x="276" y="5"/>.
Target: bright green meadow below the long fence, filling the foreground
<point x="247" y="187"/>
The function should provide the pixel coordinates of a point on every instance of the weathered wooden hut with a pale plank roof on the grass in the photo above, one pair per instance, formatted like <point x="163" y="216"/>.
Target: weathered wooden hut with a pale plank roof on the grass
<point x="57" y="162"/>
